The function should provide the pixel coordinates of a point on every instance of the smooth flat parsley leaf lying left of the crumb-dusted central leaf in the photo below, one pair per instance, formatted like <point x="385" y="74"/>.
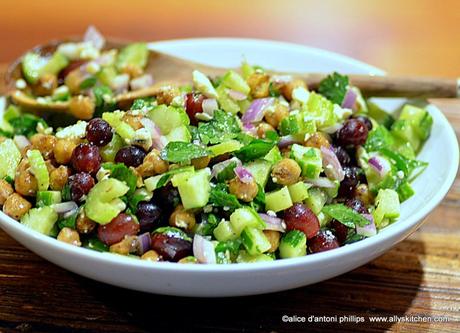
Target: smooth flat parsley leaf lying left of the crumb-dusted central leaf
<point x="178" y="152"/>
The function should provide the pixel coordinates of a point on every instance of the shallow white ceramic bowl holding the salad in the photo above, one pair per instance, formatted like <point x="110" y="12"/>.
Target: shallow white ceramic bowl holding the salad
<point x="441" y="151"/>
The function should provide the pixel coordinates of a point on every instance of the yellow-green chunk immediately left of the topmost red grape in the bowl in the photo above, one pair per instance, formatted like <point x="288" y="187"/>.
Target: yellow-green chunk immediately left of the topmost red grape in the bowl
<point x="168" y="117"/>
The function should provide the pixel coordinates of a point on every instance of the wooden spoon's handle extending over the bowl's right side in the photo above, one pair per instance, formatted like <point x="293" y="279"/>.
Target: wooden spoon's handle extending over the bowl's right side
<point x="390" y="86"/>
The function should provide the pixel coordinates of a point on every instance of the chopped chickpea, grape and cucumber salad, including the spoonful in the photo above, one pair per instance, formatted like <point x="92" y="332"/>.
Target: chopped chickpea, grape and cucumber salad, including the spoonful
<point x="245" y="167"/>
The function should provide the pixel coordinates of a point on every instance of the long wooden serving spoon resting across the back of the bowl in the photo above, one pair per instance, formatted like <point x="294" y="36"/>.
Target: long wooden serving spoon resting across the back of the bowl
<point x="167" y="69"/>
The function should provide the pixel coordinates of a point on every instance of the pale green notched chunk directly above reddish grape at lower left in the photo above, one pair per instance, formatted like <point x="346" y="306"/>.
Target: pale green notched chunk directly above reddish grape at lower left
<point x="103" y="202"/>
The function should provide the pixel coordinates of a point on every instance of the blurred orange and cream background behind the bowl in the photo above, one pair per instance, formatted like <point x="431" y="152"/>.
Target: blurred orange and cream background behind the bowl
<point x="417" y="37"/>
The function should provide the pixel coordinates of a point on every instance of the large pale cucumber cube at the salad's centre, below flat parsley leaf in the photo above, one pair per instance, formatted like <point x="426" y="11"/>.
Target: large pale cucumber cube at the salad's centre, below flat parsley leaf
<point x="194" y="188"/>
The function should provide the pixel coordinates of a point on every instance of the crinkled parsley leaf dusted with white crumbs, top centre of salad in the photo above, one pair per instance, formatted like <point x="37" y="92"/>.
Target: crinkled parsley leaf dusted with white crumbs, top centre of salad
<point x="224" y="126"/>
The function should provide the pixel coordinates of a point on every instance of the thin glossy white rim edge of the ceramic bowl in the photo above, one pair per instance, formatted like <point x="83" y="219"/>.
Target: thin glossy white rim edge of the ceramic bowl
<point x="349" y="250"/>
